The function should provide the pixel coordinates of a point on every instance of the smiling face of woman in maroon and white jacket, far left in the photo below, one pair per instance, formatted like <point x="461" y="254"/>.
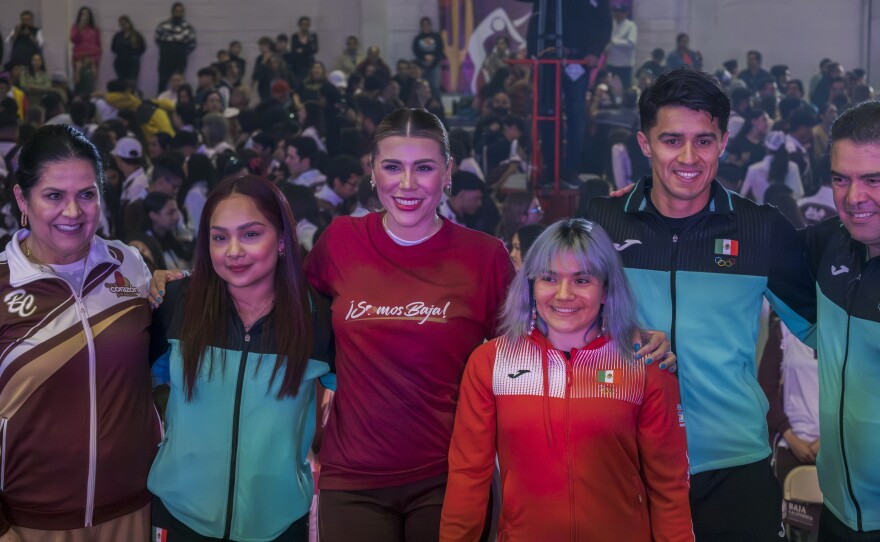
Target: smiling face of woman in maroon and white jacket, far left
<point x="63" y="209"/>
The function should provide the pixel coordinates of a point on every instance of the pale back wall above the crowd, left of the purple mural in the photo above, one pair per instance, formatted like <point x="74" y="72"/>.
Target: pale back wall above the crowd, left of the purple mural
<point x="390" y="24"/>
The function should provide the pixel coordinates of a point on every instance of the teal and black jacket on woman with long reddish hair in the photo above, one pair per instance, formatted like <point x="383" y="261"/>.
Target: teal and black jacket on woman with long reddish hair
<point x="232" y="465"/>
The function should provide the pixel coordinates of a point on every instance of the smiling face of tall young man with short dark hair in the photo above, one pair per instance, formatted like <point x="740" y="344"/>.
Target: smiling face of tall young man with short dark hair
<point x="684" y="147"/>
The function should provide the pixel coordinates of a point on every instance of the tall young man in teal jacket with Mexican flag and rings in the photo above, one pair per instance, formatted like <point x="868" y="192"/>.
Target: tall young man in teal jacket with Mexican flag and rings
<point x="700" y="260"/>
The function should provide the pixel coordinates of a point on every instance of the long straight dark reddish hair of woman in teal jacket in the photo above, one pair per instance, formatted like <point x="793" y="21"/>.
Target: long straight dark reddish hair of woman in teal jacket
<point x="207" y="303"/>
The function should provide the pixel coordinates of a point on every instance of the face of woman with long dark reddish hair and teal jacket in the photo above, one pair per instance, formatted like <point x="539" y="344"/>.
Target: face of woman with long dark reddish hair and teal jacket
<point x="244" y="245"/>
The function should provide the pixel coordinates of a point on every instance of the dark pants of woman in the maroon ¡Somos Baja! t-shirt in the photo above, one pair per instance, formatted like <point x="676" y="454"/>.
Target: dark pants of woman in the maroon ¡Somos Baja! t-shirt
<point x="410" y="513"/>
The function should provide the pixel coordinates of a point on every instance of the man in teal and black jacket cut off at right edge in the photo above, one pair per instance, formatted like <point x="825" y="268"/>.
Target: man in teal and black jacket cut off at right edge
<point x="844" y="254"/>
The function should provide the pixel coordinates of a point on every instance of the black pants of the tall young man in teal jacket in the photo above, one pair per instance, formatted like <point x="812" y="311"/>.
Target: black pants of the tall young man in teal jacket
<point x="737" y="504"/>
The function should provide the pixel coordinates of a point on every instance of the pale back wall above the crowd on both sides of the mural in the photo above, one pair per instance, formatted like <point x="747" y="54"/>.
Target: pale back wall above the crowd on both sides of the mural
<point x="795" y="32"/>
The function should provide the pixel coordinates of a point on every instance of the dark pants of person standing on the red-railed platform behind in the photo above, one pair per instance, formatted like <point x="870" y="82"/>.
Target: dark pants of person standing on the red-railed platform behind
<point x="574" y="110"/>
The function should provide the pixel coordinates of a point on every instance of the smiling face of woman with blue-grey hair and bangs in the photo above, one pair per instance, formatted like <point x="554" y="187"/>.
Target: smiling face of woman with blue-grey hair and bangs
<point x="569" y="299"/>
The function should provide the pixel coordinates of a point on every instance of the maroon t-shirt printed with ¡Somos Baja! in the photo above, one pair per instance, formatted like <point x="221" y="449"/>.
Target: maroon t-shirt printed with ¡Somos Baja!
<point x="406" y="319"/>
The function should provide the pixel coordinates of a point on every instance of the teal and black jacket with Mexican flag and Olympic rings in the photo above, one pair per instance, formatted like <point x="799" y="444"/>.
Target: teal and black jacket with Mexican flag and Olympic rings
<point x="703" y="286"/>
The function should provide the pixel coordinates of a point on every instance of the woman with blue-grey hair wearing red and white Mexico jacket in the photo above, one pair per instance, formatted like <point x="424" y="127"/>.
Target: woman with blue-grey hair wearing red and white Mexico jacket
<point x="590" y="442"/>
